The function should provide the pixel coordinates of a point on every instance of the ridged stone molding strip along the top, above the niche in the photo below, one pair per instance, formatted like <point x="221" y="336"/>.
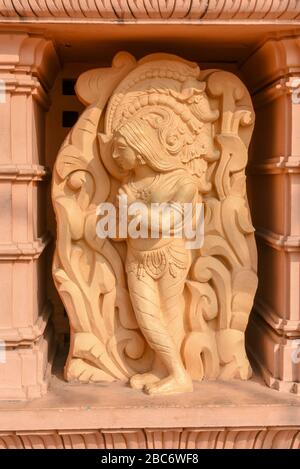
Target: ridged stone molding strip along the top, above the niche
<point x="205" y="10"/>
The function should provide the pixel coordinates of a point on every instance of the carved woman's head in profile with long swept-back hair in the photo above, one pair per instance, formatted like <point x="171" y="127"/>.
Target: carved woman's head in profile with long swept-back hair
<point x="136" y="142"/>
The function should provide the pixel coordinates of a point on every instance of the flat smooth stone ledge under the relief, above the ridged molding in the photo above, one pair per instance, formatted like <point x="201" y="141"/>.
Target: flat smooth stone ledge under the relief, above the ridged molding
<point x="234" y="405"/>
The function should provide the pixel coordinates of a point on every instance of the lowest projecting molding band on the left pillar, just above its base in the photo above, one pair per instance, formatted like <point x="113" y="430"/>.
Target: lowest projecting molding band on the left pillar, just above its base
<point x="26" y="335"/>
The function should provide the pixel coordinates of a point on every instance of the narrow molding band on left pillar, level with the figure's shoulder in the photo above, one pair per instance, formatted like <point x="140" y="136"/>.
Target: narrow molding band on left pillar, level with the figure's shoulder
<point x="23" y="172"/>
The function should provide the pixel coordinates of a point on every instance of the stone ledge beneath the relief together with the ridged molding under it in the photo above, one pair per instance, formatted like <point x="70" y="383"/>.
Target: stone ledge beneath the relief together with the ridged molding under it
<point x="218" y="414"/>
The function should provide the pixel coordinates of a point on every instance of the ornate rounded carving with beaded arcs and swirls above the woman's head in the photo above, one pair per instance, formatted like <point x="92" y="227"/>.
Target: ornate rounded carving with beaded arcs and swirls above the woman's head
<point x="164" y="100"/>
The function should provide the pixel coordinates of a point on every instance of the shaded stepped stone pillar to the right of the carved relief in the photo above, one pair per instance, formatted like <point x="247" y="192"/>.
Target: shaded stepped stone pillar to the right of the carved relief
<point x="272" y="72"/>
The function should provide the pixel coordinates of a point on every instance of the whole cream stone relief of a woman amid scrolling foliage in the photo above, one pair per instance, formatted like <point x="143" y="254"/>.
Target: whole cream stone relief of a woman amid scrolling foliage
<point x="151" y="310"/>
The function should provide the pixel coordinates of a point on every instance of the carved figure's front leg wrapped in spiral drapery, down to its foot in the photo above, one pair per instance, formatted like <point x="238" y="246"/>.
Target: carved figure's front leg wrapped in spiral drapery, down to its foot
<point x="145" y="297"/>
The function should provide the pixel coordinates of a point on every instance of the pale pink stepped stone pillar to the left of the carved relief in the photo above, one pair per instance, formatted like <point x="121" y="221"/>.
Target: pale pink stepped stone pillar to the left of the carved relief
<point x="28" y="66"/>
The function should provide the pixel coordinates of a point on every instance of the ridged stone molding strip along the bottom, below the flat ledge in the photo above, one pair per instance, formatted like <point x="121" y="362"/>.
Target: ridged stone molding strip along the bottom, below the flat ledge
<point x="173" y="438"/>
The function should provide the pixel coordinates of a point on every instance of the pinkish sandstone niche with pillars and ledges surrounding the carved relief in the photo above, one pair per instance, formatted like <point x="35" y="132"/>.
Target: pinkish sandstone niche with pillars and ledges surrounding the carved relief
<point x="45" y="46"/>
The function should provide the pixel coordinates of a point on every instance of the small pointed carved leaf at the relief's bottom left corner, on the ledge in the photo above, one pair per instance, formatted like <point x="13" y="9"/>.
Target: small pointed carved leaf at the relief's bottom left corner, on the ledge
<point x="78" y="370"/>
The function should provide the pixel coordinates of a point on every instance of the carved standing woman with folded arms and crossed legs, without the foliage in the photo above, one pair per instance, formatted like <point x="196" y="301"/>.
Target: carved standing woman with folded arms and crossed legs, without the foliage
<point x="156" y="267"/>
